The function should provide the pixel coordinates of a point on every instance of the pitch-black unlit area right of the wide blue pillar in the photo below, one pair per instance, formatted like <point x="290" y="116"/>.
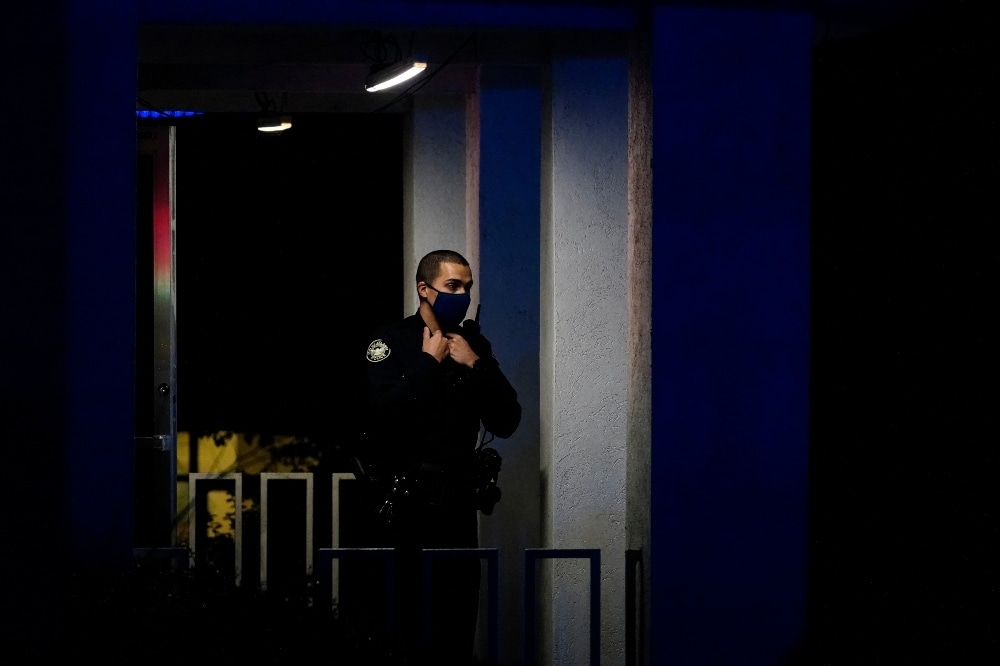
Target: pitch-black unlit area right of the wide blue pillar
<point x="904" y="397"/>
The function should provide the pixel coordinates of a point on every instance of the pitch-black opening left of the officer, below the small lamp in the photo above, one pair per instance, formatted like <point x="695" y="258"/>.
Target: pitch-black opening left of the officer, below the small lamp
<point x="289" y="250"/>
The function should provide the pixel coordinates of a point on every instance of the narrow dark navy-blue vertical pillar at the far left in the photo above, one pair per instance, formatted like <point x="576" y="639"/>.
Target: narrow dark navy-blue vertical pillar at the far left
<point x="100" y="158"/>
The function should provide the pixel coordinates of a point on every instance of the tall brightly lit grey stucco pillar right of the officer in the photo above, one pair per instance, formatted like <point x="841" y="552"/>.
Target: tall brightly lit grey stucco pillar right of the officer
<point x="583" y="348"/>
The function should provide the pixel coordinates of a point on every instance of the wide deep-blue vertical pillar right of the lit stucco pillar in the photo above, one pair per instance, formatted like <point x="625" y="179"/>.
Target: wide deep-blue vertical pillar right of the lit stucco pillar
<point x="730" y="337"/>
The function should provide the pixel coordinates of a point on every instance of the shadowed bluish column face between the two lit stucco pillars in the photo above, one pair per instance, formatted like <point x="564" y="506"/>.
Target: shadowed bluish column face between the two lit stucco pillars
<point x="509" y="107"/>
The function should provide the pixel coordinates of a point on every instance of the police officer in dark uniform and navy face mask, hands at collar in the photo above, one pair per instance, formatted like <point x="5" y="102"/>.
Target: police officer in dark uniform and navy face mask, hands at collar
<point x="436" y="391"/>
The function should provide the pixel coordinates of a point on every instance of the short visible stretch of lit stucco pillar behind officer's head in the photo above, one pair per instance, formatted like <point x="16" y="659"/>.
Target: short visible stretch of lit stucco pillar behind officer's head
<point x="434" y="187"/>
